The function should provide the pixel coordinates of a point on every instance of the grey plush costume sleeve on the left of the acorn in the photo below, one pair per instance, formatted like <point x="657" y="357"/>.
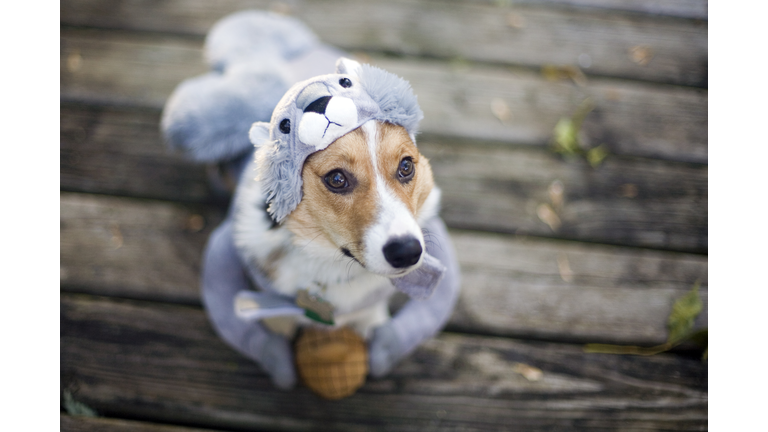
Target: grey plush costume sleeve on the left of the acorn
<point x="223" y="276"/>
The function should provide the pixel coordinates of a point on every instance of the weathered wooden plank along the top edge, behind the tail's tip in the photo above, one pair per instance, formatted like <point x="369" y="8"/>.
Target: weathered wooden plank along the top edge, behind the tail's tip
<point x="525" y="33"/>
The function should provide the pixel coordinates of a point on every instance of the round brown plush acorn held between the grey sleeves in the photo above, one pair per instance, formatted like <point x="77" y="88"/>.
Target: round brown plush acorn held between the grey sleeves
<point x="332" y="363"/>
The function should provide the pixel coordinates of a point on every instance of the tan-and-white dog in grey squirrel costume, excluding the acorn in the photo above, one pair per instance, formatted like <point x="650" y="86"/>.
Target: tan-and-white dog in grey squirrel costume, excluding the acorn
<point x="335" y="208"/>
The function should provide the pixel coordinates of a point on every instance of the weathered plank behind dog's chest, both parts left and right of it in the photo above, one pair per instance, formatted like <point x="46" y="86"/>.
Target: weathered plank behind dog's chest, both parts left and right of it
<point x="511" y="286"/>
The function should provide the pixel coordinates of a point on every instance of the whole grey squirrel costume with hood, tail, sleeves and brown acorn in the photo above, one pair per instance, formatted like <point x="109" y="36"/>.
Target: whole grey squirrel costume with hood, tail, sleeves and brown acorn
<point x="275" y="96"/>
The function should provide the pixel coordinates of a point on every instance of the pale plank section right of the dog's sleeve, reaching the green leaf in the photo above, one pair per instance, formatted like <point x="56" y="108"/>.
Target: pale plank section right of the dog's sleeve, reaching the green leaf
<point x="550" y="290"/>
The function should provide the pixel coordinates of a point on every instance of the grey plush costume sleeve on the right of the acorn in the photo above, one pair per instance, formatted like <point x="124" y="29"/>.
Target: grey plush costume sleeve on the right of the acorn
<point x="419" y="320"/>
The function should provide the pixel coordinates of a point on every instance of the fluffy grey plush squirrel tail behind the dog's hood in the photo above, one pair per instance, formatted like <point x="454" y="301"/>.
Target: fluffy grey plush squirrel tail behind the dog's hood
<point x="251" y="54"/>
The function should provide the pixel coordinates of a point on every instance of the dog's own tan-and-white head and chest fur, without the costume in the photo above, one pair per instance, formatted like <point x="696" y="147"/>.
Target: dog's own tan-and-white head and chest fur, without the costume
<point x="359" y="224"/>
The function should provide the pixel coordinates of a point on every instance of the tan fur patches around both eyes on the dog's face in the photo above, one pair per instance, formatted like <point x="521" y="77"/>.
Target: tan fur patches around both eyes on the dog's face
<point x="341" y="220"/>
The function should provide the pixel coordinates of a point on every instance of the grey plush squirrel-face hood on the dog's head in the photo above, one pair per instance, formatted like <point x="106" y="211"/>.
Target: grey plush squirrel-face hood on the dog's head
<point x="316" y="112"/>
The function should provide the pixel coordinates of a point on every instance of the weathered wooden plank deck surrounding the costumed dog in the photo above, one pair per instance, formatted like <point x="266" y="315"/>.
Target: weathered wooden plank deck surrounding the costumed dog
<point x="629" y="237"/>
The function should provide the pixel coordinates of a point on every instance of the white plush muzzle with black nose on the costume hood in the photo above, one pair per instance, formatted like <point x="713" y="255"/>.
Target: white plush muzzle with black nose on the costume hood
<point x="325" y="119"/>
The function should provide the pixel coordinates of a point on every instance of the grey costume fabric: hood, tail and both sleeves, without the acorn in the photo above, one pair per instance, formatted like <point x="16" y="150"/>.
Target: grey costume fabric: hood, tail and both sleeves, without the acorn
<point x="218" y="118"/>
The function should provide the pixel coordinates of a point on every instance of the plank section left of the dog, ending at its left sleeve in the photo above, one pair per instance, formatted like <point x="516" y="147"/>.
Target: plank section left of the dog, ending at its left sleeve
<point x="139" y="249"/>
